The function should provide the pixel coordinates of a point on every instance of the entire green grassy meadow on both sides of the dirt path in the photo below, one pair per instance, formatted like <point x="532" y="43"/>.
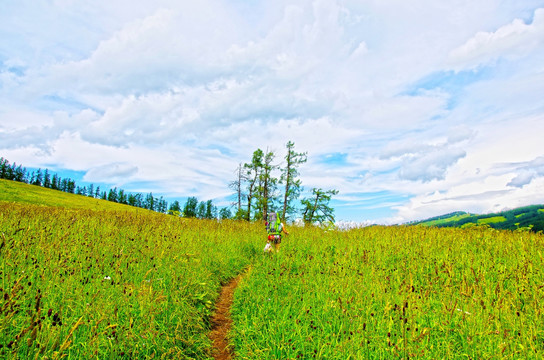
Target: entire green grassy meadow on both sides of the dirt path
<point x="102" y="283"/>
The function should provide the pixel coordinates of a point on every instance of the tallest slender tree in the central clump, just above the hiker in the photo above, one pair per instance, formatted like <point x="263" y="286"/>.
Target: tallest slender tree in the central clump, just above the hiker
<point x="293" y="186"/>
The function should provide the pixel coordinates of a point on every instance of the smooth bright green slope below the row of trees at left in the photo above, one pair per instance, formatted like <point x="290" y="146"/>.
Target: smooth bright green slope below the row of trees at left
<point x="13" y="191"/>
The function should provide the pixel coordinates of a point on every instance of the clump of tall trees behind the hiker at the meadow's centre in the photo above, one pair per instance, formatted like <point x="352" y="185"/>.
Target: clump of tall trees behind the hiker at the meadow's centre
<point x="262" y="186"/>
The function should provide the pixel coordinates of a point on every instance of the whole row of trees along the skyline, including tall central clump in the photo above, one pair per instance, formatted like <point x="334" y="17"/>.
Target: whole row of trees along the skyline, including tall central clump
<point x="261" y="186"/>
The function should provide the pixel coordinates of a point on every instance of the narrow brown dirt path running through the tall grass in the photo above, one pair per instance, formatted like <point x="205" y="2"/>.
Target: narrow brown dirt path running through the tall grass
<point x="221" y="321"/>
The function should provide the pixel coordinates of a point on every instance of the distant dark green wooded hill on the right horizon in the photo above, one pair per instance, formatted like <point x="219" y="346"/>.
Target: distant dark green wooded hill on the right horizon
<point x="523" y="217"/>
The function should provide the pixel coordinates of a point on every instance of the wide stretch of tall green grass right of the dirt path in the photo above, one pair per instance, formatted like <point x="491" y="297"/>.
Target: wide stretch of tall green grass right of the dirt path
<point x="395" y="293"/>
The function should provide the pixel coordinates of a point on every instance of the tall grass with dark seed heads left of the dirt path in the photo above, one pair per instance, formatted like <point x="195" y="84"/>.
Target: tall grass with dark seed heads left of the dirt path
<point x="112" y="285"/>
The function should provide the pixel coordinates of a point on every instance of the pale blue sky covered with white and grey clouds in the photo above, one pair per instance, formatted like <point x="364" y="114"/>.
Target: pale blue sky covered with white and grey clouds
<point x="410" y="109"/>
